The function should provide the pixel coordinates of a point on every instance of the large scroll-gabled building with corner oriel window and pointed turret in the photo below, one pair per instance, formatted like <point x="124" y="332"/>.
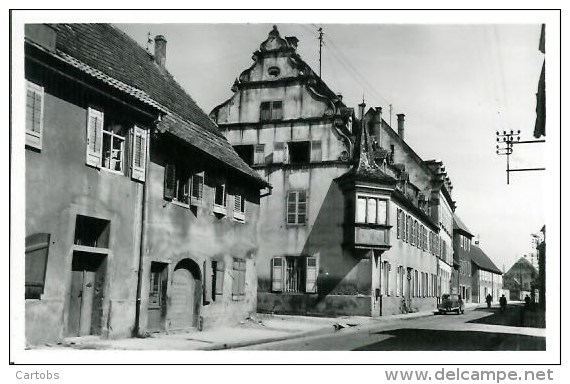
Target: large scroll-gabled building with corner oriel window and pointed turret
<point x="357" y="223"/>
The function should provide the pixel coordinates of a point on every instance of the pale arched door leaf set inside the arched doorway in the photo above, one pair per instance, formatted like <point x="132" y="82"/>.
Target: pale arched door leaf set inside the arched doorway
<point x="182" y="299"/>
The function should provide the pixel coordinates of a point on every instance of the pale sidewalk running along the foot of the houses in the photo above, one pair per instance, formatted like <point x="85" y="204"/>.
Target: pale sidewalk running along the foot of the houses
<point x="258" y="329"/>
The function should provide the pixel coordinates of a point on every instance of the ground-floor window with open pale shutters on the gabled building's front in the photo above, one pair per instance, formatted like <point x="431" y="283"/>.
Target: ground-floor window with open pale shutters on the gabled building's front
<point x="294" y="274"/>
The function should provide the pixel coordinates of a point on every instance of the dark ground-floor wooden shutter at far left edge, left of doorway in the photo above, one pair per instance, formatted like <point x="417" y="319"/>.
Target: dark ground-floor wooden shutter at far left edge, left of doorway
<point x="37" y="248"/>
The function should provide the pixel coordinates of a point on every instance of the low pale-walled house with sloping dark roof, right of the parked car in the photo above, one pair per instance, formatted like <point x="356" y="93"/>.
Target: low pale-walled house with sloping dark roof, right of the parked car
<point x="486" y="278"/>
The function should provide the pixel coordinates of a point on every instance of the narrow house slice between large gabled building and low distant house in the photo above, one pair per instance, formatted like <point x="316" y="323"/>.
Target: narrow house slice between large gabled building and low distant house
<point x="461" y="276"/>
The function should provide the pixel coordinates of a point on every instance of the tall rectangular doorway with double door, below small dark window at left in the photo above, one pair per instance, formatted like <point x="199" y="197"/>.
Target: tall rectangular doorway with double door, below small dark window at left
<point x="86" y="294"/>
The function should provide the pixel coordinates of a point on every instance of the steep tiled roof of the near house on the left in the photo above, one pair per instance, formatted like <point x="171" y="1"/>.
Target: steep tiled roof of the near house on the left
<point x="108" y="54"/>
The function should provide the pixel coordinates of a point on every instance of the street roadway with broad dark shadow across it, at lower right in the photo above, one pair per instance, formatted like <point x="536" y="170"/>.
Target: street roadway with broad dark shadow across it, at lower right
<point x="477" y="329"/>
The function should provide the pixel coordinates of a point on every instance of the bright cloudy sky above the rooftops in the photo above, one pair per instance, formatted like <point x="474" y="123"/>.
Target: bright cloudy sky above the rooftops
<point x="456" y="84"/>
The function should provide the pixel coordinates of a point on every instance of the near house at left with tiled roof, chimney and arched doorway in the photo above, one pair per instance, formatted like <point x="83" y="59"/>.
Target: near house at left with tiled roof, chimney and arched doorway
<point x="139" y="214"/>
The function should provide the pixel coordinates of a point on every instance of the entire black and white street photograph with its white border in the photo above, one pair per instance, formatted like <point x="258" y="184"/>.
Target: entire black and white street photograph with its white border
<point x="225" y="183"/>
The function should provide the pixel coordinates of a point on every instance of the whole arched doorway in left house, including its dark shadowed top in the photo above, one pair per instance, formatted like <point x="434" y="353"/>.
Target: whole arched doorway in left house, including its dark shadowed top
<point x="185" y="295"/>
